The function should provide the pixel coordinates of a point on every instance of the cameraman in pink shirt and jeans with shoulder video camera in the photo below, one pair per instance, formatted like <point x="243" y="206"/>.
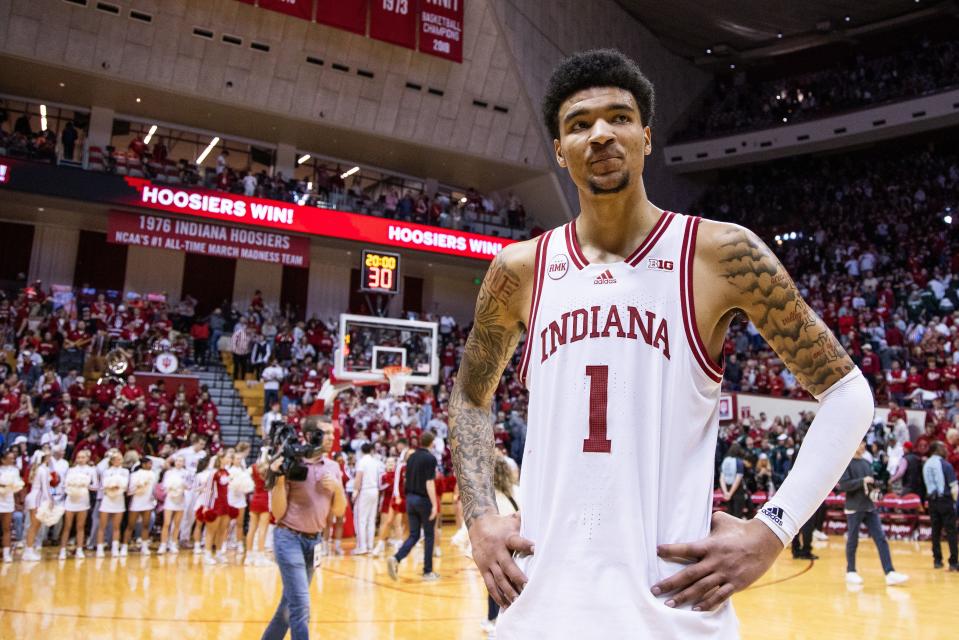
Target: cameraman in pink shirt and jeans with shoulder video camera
<point x="306" y="486"/>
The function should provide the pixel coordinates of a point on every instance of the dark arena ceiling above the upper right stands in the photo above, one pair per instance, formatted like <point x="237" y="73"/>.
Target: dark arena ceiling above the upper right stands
<point x="750" y="29"/>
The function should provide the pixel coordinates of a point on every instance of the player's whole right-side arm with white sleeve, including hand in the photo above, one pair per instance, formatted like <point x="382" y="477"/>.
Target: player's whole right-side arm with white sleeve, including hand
<point x="734" y="271"/>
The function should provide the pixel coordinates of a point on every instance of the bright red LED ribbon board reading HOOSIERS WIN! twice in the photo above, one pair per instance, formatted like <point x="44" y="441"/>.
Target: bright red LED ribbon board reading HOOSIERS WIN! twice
<point x="288" y="217"/>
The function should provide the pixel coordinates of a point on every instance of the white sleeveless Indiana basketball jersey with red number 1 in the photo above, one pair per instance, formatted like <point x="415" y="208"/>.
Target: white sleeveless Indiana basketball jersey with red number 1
<point x="620" y="443"/>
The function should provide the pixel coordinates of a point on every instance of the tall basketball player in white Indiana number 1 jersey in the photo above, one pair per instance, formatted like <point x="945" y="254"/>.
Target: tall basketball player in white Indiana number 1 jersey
<point x="625" y="310"/>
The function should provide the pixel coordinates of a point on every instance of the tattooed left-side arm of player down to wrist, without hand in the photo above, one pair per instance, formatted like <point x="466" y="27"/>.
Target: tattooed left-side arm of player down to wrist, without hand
<point x="489" y="348"/>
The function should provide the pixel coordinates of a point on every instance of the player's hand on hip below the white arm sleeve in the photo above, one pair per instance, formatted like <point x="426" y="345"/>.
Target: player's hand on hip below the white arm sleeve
<point x="735" y="554"/>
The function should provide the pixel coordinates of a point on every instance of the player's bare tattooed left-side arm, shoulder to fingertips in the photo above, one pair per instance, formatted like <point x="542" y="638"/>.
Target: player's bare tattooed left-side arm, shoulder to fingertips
<point x="501" y="309"/>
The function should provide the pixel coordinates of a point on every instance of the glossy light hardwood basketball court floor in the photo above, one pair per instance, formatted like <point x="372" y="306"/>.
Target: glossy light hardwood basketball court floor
<point x="178" y="597"/>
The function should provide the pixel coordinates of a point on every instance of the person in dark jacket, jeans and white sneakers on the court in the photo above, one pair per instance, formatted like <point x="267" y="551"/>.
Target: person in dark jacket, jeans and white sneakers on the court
<point x="858" y="482"/>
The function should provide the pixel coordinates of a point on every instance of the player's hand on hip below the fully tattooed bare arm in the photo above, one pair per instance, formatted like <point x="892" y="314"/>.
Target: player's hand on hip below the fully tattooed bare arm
<point x="494" y="538"/>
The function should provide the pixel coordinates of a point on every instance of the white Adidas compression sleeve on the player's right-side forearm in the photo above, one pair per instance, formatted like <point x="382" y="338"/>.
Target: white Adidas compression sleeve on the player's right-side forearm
<point x="845" y="414"/>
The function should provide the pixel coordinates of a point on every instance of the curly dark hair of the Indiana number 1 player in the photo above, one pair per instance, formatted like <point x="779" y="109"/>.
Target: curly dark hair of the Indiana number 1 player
<point x="596" y="68"/>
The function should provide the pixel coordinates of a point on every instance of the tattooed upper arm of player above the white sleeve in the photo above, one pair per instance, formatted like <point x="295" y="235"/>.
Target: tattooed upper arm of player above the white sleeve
<point x="771" y="300"/>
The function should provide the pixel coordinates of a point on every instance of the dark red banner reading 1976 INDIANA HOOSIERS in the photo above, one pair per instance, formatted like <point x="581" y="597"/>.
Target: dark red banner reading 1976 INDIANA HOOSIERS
<point x="160" y="232"/>
